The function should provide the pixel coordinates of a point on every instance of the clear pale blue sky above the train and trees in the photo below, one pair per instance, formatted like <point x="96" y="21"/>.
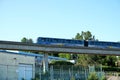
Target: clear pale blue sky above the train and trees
<point x="59" y="18"/>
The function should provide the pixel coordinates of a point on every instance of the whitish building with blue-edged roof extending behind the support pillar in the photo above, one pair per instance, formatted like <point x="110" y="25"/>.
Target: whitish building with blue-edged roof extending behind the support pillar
<point x="18" y="65"/>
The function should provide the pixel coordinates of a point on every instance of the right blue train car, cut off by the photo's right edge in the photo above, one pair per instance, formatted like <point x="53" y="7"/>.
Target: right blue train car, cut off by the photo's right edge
<point x="103" y="44"/>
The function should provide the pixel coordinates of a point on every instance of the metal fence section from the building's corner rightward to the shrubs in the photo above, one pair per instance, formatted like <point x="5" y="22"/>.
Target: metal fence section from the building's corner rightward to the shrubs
<point x="68" y="73"/>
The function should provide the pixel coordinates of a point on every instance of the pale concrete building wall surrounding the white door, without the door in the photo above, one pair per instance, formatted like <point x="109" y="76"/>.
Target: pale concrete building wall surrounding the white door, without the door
<point x="9" y="65"/>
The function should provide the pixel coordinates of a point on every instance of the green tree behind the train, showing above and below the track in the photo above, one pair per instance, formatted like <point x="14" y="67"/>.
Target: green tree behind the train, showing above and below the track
<point x="84" y="59"/>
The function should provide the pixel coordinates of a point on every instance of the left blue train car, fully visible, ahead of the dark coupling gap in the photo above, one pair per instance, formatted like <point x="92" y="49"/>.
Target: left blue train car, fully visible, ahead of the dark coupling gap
<point x="58" y="41"/>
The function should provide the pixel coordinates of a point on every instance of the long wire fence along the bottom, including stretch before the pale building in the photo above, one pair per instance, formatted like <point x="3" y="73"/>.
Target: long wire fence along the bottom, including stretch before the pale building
<point x="9" y="72"/>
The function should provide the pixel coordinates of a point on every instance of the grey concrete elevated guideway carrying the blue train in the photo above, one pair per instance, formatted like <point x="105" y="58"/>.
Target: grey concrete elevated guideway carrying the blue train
<point x="9" y="45"/>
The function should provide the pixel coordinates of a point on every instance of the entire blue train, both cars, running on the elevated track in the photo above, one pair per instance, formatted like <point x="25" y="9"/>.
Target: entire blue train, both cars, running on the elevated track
<point x="77" y="43"/>
